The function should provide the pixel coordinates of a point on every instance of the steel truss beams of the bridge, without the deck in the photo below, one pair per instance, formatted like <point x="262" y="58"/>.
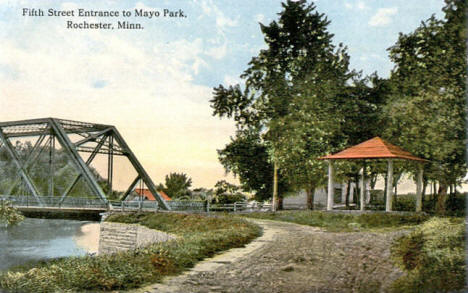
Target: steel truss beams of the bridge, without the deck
<point x="105" y="139"/>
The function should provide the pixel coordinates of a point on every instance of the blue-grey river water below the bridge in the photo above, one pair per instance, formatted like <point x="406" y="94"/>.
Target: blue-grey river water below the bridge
<point x="38" y="239"/>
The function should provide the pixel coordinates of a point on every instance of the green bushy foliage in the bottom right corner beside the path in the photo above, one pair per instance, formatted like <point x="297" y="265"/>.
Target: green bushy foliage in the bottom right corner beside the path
<point x="433" y="257"/>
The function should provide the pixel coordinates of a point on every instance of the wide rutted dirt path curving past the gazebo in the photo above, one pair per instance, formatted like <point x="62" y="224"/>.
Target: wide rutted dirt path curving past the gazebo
<point x="294" y="258"/>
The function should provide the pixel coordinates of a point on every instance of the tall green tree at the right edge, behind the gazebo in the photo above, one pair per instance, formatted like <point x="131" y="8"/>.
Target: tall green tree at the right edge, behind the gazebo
<point x="426" y="110"/>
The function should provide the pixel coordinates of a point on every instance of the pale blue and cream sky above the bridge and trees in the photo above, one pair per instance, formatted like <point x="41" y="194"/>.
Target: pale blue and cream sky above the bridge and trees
<point x="155" y="84"/>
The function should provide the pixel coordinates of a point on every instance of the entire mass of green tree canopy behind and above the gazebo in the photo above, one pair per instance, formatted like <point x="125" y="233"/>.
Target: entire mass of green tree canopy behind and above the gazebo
<point x="299" y="101"/>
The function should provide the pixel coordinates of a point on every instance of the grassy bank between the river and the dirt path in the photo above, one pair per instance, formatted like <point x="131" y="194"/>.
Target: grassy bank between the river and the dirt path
<point x="200" y="237"/>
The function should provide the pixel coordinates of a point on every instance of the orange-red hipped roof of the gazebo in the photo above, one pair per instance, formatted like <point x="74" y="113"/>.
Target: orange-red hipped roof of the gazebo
<point x="375" y="148"/>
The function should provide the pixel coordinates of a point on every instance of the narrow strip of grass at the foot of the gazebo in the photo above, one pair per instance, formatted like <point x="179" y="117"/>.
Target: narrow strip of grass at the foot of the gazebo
<point x="343" y="222"/>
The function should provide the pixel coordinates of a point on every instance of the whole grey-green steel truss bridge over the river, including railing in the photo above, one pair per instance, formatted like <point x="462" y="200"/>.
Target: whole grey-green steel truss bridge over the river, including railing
<point x="94" y="139"/>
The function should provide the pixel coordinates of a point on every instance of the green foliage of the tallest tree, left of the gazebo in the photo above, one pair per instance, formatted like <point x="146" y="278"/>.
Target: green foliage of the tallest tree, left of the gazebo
<point x="286" y="112"/>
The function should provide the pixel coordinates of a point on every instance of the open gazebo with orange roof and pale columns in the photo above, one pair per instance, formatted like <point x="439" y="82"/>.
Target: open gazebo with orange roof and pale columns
<point x="376" y="149"/>
